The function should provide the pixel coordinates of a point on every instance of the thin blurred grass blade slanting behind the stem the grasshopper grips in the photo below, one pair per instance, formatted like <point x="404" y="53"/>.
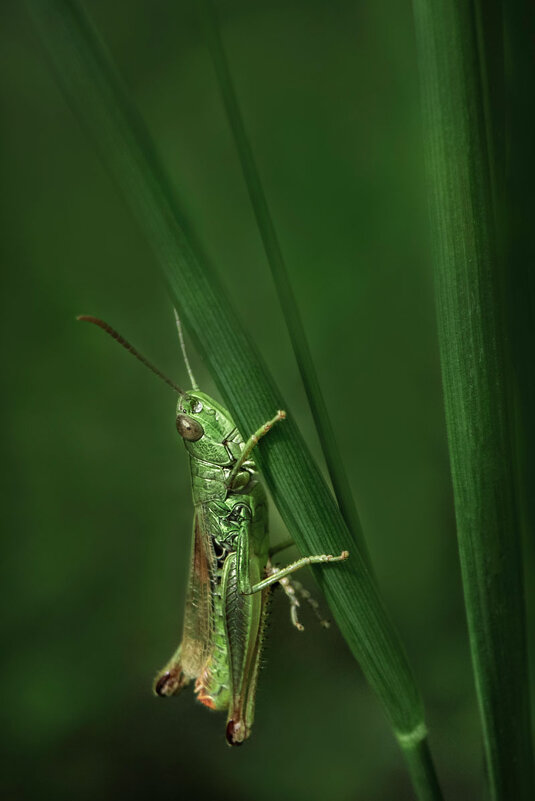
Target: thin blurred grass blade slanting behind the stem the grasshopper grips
<point x="275" y="258"/>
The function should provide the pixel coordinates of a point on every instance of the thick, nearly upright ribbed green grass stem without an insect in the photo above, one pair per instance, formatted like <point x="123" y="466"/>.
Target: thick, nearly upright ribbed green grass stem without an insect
<point x="461" y="65"/>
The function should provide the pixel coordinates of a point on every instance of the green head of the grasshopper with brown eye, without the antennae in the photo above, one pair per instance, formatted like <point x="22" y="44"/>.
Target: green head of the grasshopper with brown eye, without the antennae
<point x="200" y="419"/>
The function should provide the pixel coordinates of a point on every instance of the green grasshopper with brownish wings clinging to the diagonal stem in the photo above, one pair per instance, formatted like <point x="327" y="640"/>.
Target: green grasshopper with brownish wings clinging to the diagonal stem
<point x="231" y="573"/>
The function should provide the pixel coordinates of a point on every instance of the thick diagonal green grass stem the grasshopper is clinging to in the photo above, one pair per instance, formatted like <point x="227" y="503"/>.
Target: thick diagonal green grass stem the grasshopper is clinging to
<point x="98" y="97"/>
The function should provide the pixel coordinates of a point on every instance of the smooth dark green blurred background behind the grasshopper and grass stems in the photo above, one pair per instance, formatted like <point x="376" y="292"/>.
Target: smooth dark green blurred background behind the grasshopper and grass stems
<point x="97" y="507"/>
